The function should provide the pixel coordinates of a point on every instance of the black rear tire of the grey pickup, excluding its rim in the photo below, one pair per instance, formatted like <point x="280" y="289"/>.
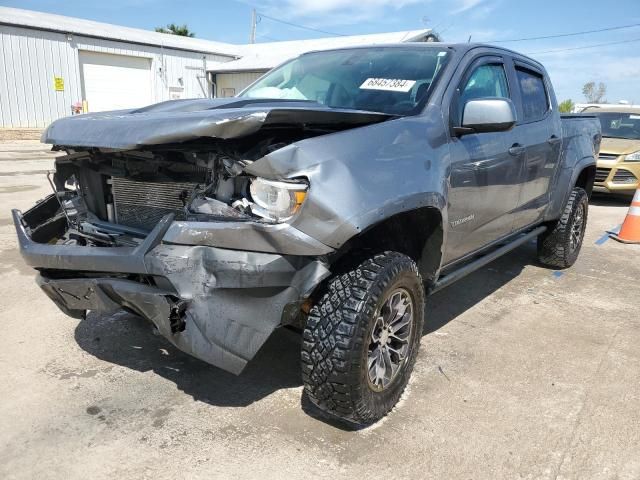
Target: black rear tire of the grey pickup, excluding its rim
<point x="554" y="245"/>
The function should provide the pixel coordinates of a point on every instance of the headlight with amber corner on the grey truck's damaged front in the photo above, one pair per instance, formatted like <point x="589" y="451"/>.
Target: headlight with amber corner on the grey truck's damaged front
<point x="277" y="201"/>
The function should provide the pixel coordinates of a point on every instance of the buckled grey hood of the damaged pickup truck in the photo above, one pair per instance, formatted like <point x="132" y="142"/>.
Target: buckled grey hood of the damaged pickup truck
<point x="178" y="121"/>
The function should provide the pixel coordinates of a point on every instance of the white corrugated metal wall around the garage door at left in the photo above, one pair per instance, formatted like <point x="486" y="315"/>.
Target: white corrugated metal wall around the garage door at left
<point x="30" y="59"/>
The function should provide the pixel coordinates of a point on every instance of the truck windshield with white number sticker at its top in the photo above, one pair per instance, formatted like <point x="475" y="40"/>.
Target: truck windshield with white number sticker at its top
<point x="392" y="80"/>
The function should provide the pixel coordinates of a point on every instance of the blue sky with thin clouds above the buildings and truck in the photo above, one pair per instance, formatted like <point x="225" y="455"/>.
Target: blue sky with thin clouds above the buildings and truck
<point x="618" y="66"/>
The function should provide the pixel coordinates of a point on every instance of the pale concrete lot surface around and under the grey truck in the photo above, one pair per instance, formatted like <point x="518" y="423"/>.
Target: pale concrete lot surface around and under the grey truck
<point x="523" y="373"/>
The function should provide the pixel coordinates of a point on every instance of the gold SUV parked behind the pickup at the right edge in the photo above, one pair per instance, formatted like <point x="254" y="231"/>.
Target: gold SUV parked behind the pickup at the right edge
<point x="618" y="168"/>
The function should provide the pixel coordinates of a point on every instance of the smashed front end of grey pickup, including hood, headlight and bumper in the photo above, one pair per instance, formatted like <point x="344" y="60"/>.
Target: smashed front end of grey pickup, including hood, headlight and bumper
<point x="163" y="211"/>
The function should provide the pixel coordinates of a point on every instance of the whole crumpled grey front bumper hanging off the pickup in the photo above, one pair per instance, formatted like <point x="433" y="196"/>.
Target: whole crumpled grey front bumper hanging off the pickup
<point x="216" y="304"/>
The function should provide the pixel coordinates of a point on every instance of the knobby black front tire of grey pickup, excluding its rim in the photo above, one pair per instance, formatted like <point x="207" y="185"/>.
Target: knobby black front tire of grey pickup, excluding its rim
<point x="336" y="338"/>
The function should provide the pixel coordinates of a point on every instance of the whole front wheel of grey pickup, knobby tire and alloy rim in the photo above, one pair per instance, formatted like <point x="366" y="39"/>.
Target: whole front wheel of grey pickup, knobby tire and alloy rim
<point x="362" y="338"/>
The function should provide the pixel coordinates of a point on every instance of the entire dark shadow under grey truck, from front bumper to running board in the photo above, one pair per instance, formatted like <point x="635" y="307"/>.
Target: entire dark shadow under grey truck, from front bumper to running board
<point x="124" y="339"/>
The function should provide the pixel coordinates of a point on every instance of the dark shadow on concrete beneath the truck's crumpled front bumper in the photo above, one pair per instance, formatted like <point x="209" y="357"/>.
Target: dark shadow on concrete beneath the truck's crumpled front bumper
<point x="127" y="340"/>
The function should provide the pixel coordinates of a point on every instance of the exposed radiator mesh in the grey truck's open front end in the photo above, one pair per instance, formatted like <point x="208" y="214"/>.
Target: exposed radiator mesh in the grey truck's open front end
<point x="143" y="204"/>
